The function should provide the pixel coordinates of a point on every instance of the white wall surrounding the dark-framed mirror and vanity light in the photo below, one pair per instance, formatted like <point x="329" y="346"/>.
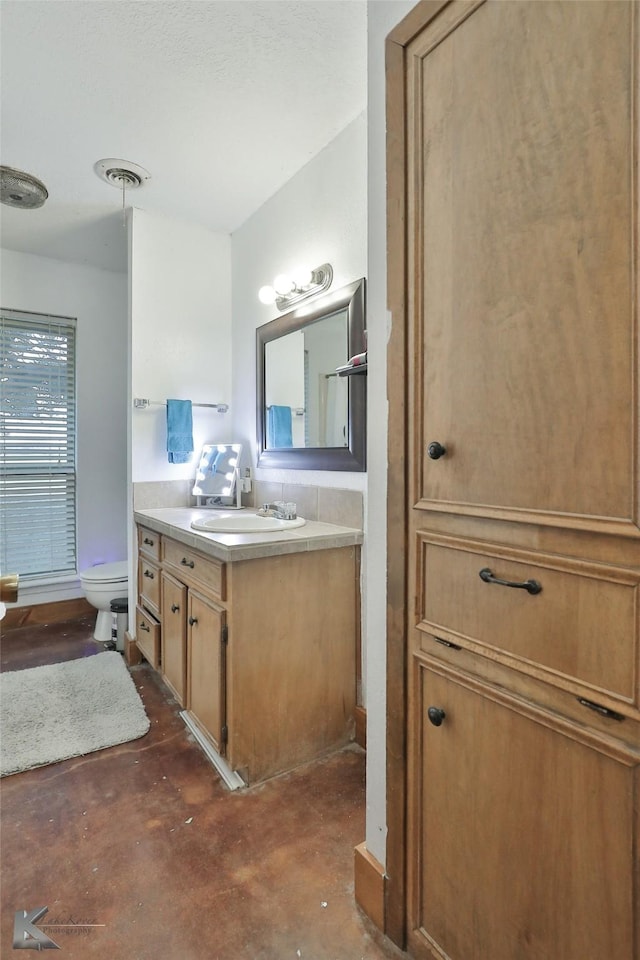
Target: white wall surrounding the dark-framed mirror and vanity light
<point x="319" y="216"/>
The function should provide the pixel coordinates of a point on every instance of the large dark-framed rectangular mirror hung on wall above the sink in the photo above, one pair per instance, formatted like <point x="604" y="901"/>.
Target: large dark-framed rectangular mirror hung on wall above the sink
<point x="308" y="416"/>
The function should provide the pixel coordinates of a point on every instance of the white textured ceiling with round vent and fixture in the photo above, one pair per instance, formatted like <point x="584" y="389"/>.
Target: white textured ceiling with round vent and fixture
<point x="221" y="101"/>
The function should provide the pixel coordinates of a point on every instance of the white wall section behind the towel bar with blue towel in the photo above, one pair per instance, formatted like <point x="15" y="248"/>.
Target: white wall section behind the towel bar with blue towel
<point x="180" y="337"/>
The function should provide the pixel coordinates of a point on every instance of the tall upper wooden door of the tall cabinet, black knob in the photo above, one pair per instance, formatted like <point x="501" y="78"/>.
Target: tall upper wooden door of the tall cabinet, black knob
<point x="522" y="239"/>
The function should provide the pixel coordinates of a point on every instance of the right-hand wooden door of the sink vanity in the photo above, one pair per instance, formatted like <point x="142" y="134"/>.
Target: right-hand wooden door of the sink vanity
<point x="206" y="644"/>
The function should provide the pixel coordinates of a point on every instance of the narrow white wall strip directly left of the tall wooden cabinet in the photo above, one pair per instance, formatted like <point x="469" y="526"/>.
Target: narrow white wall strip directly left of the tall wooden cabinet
<point x="382" y="17"/>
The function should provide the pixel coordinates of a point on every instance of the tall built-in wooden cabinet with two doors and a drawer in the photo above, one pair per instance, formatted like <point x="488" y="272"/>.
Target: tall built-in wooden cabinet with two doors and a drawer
<point x="514" y="183"/>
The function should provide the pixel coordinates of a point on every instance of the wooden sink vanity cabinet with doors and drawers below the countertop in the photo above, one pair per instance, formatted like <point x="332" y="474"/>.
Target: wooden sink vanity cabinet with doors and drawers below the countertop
<point x="260" y="653"/>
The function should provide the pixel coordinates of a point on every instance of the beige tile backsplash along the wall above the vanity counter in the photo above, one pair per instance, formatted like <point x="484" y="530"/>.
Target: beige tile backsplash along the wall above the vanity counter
<point x="327" y="504"/>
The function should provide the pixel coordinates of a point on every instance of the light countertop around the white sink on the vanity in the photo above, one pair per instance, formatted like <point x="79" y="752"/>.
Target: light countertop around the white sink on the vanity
<point x="175" y="522"/>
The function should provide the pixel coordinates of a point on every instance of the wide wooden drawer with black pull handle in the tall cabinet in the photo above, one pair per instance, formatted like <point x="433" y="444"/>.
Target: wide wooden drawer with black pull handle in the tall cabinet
<point x="582" y="625"/>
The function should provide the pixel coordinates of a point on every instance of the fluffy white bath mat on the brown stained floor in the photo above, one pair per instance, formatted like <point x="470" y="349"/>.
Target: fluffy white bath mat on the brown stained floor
<point x="67" y="710"/>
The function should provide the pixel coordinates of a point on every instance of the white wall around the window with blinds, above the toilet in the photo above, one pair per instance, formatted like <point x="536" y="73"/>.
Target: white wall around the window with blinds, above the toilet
<point x="98" y="299"/>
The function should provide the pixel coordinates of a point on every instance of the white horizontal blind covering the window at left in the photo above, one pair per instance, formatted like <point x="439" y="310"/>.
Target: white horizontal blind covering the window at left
<point x="37" y="445"/>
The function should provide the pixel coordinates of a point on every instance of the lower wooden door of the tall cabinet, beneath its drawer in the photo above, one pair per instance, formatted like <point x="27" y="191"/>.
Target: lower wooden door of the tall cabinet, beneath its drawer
<point x="525" y="829"/>
